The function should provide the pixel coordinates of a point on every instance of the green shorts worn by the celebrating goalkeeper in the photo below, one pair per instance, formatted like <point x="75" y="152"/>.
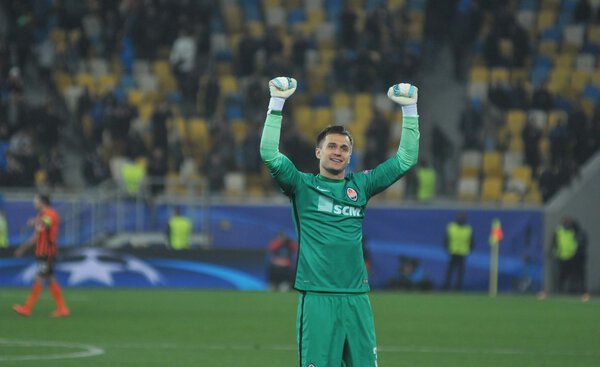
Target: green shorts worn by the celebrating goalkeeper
<point x="334" y="330"/>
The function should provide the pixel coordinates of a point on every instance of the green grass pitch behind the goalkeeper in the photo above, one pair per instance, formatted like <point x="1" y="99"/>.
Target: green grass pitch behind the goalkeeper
<point x="178" y="328"/>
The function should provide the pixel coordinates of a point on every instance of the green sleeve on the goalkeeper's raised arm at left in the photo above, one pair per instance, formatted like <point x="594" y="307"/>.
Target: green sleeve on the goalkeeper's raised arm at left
<point x="280" y="167"/>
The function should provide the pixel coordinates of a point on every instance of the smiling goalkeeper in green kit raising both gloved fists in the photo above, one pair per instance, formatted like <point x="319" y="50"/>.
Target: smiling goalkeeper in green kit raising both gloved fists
<point x="334" y="322"/>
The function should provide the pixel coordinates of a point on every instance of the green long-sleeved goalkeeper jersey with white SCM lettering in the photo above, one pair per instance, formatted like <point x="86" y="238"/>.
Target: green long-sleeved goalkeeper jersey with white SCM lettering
<point x="328" y="214"/>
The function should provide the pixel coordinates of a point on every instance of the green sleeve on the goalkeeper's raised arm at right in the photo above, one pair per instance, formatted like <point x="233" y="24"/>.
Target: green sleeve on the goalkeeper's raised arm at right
<point x="405" y="158"/>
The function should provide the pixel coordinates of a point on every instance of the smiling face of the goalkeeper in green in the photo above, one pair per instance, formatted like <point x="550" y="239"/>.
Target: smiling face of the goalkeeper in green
<point x="334" y="154"/>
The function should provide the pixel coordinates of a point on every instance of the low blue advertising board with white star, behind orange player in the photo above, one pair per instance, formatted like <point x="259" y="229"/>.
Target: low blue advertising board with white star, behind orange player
<point x="149" y="267"/>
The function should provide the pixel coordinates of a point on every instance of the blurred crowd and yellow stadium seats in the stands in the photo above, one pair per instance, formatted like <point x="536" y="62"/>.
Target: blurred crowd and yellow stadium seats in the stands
<point x="148" y="94"/>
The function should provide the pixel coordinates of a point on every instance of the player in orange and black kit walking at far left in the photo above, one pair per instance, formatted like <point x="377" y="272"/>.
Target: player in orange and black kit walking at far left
<point x="44" y="238"/>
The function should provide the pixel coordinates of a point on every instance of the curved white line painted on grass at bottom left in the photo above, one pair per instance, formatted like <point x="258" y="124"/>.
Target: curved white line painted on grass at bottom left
<point x="84" y="352"/>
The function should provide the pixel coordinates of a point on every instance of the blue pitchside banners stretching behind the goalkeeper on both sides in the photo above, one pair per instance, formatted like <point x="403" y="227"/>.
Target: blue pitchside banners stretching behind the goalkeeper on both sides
<point x="239" y="235"/>
